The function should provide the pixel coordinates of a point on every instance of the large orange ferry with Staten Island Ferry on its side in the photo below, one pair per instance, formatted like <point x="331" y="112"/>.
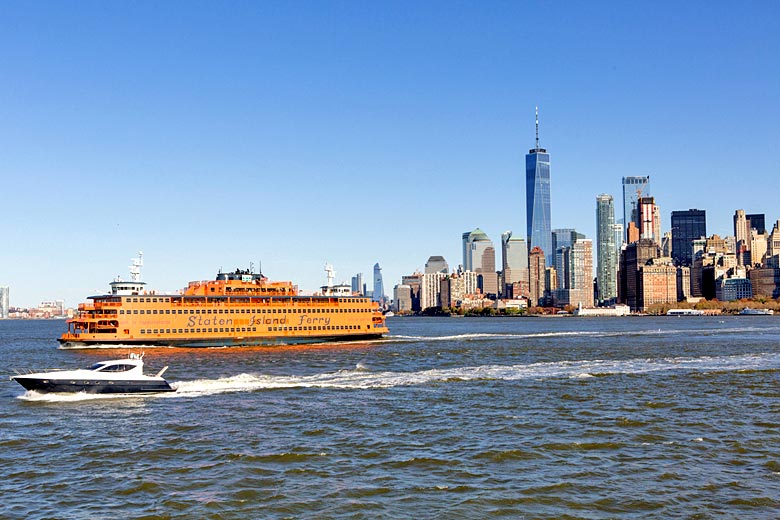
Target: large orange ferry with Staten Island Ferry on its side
<point x="237" y="309"/>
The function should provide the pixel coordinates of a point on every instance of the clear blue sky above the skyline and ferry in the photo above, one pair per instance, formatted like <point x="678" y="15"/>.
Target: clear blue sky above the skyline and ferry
<point x="214" y="134"/>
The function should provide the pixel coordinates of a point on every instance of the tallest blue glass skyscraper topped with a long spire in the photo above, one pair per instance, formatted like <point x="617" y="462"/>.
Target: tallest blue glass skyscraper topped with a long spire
<point x="537" y="198"/>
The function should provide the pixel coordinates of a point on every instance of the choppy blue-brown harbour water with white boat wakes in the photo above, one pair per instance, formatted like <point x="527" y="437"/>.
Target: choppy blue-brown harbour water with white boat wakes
<point x="448" y="418"/>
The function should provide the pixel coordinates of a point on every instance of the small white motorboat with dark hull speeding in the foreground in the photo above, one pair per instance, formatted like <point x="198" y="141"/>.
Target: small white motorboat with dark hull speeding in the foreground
<point x="118" y="376"/>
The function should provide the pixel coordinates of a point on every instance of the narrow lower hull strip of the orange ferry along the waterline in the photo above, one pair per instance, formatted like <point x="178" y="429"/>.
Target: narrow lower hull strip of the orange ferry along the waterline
<point x="217" y="342"/>
